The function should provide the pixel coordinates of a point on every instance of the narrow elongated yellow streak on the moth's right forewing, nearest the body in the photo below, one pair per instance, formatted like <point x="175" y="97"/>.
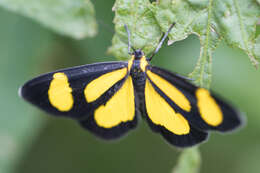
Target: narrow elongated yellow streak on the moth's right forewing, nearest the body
<point x="171" y="91"/>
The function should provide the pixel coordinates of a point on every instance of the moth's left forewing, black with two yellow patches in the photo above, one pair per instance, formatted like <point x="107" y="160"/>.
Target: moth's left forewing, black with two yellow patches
<point x="75" y="92"/>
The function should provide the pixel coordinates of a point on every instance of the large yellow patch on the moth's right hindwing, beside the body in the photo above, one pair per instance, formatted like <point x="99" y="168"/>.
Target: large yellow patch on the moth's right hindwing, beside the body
<point x="161" y="113"/>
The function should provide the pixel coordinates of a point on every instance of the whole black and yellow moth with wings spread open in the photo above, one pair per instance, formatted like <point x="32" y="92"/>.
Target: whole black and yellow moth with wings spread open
<point x="106" y="98"/>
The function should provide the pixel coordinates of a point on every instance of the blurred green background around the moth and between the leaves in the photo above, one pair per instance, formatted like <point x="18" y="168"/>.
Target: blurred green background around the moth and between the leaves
<point x="32" y="141"/>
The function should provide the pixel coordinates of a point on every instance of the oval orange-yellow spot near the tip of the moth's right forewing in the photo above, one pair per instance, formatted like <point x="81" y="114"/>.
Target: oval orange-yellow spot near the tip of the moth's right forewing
<point x="209" y="109"/>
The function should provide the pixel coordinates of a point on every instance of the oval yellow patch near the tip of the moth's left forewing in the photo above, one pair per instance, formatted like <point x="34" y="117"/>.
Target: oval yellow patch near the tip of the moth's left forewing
<point x="59" y="92"/>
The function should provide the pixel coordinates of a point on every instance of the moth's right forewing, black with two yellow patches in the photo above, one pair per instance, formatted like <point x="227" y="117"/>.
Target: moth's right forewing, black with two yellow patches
<point x="202" y="109"/>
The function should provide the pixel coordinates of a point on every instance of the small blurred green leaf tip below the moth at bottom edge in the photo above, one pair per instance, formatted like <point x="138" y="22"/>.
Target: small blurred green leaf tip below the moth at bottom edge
<point x="189" y="161"/>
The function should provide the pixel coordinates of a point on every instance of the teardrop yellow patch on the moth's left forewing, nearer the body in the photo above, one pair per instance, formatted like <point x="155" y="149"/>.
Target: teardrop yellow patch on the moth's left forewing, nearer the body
<point x="100" y="85"/>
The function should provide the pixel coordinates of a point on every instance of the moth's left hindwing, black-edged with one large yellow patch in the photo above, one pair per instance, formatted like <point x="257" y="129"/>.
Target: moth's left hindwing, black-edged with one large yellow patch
<point x="115" y="117"/>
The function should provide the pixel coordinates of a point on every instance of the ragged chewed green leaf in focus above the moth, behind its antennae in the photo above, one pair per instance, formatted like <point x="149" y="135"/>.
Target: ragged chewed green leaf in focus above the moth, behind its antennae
<point x="234" y="21"/>
